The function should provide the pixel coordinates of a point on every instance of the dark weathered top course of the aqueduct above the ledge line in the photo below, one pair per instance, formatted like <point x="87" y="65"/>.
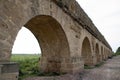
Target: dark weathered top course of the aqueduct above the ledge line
<point x="72" y="8"/>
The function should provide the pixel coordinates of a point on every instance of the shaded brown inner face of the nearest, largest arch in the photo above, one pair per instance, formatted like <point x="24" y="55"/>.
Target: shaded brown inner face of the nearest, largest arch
<point x="53" y="42"/>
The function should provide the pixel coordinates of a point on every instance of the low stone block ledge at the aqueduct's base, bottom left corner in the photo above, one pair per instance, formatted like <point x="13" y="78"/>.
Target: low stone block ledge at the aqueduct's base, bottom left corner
<point x="9" y="71"/>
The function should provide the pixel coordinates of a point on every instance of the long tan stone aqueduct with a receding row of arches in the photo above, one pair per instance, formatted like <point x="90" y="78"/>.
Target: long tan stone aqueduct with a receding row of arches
<point x="68" y="38"/>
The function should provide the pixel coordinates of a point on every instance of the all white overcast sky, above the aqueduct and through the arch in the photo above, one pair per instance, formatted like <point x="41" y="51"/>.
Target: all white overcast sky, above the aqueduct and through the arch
<point x="105" y="14"/>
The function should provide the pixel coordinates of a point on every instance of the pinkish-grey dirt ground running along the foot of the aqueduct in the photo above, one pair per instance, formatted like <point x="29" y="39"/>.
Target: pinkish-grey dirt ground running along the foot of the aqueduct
<point x="109" y="71"/>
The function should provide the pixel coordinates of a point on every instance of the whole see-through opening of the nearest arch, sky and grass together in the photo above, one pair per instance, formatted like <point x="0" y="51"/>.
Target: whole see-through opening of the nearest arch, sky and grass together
<point x="26" y="51"/>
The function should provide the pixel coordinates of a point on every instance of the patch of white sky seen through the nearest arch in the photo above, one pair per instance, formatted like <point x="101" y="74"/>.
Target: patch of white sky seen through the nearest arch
<point x="26" y="43"/>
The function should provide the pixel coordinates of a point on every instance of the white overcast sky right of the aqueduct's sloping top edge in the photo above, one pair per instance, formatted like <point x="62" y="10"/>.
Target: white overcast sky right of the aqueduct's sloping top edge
<point x="105" y="14"/>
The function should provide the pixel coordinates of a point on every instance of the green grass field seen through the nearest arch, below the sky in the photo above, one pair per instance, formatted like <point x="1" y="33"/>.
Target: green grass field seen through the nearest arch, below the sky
<point x="28" y="64"/>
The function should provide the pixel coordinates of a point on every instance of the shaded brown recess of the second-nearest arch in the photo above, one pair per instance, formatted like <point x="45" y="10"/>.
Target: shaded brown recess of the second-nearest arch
<point x="86" y="52"/>
